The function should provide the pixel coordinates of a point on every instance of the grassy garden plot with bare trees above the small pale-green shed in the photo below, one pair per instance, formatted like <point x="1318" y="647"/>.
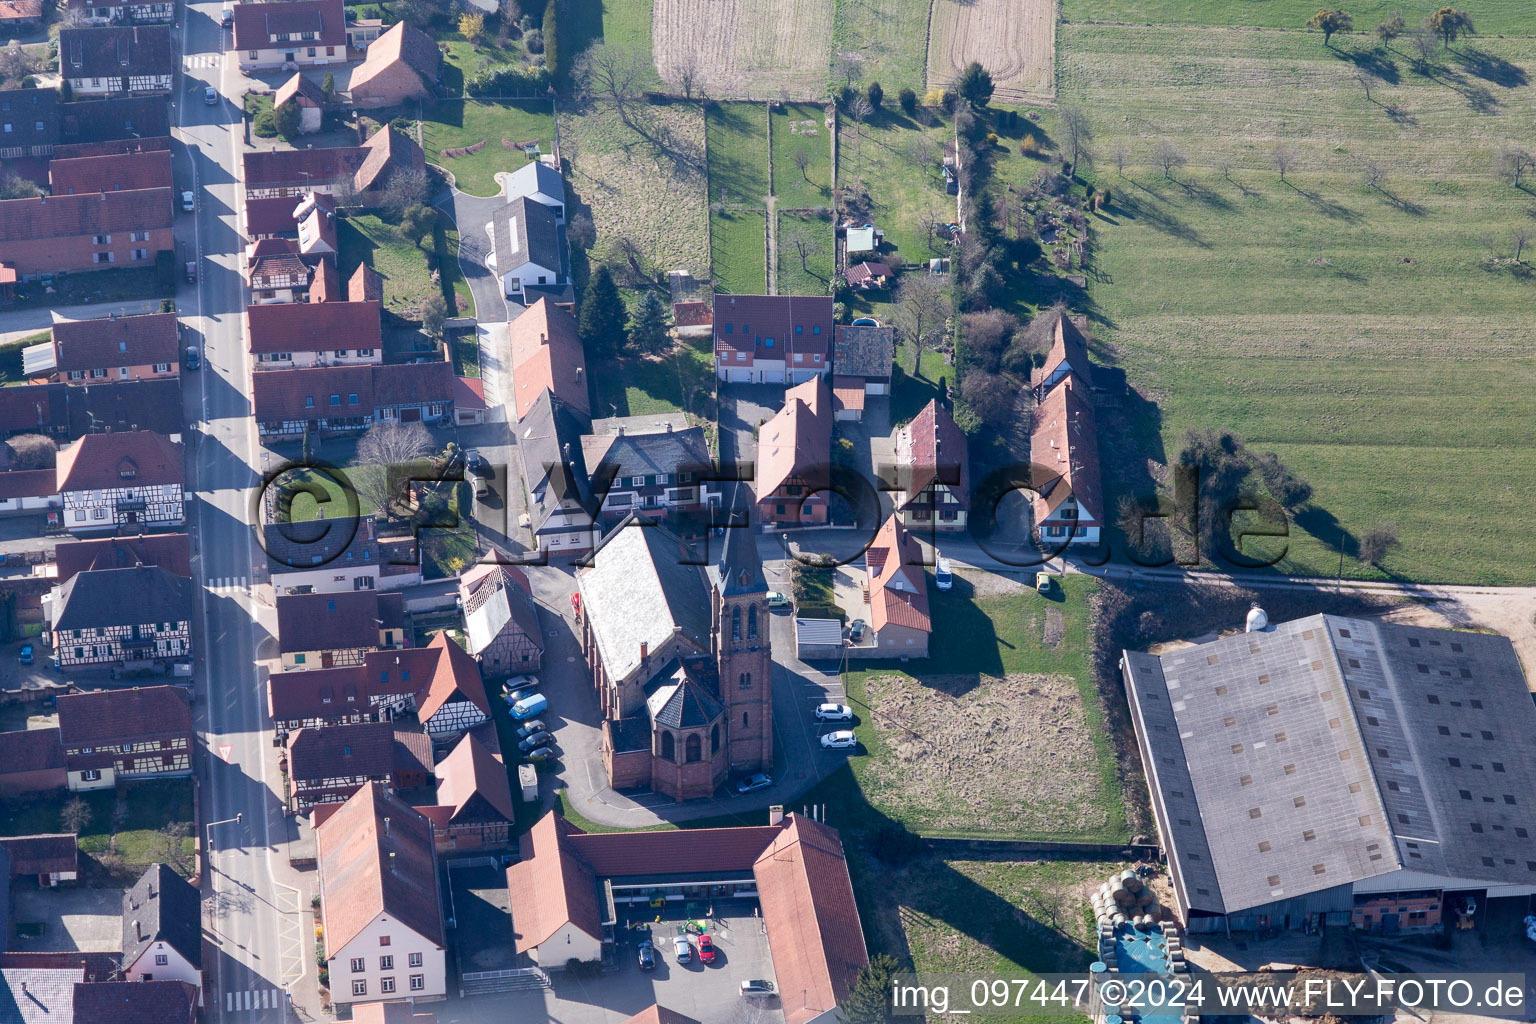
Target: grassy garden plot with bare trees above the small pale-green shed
<point x="882" y="157"/>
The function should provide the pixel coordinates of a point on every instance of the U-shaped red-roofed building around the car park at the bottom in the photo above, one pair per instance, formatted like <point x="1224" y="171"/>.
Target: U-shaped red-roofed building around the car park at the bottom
<point x="795" y="867"/>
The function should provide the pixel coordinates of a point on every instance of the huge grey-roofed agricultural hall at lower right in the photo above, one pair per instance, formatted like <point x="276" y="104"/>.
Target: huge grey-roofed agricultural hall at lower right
<point x="1306" y="771"/>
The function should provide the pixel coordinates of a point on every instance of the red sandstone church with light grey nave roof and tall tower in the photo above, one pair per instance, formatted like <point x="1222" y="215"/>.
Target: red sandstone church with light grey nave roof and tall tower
<point x="680" y="656"/>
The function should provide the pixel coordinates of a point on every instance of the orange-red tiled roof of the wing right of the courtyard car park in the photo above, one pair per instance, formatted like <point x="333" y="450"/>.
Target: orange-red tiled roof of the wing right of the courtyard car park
<point x="812" y="919"/>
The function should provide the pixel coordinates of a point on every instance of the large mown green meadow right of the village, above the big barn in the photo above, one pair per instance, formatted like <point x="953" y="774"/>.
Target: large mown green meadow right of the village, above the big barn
<point x="1325" y="320"/>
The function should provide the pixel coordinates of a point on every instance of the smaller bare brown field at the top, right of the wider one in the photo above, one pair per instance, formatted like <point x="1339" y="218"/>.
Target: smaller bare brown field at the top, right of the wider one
<point x="1013" y="39"/>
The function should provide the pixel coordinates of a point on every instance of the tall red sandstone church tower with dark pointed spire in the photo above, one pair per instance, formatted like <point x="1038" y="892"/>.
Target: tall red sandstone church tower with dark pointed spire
<point x="744" y="650"/>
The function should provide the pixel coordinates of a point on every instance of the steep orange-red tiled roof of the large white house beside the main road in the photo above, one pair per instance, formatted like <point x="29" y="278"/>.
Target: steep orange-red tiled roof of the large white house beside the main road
<point x="359" y="877"/>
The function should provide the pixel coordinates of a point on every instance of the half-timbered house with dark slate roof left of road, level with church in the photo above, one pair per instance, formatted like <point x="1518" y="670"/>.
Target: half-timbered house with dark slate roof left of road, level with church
<point x="141" y="733"/>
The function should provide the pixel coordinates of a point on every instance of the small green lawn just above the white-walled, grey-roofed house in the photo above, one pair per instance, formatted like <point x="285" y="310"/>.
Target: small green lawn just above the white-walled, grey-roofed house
<point x="502" y="125"/>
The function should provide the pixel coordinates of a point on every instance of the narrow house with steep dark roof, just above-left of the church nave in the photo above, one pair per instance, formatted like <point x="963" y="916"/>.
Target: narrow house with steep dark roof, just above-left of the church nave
<point x="549" y="448"/>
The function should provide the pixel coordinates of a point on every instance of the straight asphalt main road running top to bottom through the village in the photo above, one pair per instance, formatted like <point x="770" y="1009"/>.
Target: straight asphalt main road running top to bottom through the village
<point x="254" y="922"/>
